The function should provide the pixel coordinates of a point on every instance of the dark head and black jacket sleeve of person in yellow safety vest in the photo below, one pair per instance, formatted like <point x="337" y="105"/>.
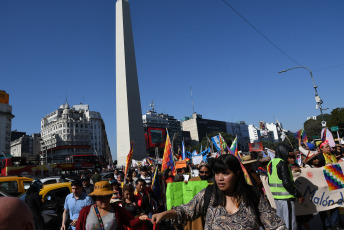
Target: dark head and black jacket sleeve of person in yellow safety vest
<point x="282" y="151"/>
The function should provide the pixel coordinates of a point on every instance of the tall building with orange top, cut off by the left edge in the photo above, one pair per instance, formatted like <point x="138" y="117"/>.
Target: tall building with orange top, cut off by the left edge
<point x="5" y="123"/>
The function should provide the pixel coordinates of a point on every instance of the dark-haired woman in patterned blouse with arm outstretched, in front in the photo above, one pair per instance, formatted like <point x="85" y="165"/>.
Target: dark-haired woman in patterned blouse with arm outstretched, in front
<point x="233" y="204"/>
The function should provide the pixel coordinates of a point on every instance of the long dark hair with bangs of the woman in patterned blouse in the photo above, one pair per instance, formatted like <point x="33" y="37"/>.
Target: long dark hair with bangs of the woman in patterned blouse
<point x="242" y="191"/>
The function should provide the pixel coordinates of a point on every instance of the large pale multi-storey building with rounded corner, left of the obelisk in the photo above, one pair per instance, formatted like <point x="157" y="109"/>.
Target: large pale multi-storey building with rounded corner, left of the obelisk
<point x="73" y="131"/>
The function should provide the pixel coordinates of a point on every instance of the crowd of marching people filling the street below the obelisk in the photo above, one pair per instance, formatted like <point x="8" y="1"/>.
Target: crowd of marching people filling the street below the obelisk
<point x="229" y="202"/>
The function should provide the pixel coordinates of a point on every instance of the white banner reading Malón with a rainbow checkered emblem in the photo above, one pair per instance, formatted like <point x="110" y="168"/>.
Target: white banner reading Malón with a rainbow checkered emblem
<point x="322" y="188"/>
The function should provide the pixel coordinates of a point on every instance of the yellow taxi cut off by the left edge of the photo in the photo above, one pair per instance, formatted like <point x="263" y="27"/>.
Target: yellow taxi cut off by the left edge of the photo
<point x="15" y="185"/>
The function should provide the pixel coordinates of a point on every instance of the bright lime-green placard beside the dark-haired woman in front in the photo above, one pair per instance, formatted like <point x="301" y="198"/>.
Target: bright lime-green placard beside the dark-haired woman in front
<point x="178" y="193"/>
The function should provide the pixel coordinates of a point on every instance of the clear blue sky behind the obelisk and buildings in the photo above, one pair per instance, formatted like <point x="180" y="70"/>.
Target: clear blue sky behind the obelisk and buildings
<point x="50" y="49"/>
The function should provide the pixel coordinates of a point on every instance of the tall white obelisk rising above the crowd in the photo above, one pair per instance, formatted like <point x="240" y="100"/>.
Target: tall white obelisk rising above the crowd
<point x="128" y="105"/>
